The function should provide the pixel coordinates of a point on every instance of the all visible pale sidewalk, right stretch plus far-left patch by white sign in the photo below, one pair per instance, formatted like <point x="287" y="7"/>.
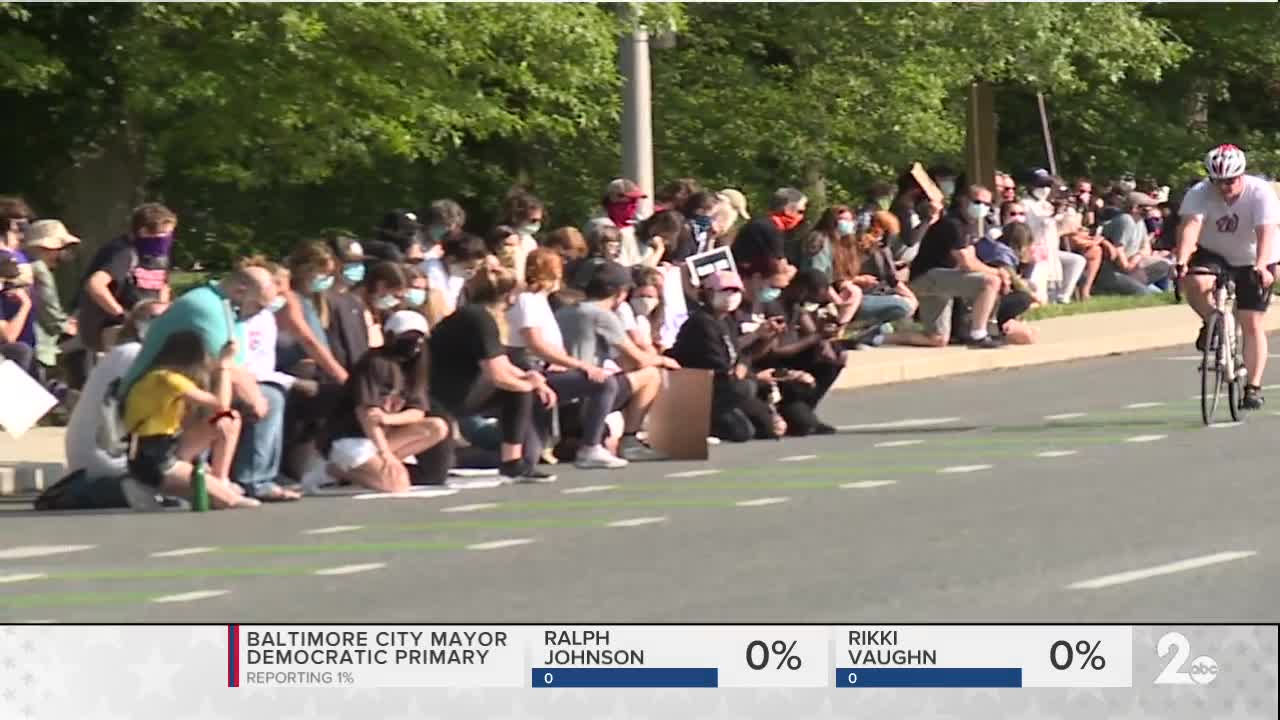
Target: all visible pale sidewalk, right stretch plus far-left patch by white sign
<point x="36" y="461"/>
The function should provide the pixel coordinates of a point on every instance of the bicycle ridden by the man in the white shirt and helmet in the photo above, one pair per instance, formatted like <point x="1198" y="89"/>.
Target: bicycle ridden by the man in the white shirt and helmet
<point x="1223" y="363"/>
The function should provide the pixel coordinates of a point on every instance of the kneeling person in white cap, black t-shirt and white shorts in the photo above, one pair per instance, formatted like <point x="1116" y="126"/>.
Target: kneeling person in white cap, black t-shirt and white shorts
<point x="382" y="416"/>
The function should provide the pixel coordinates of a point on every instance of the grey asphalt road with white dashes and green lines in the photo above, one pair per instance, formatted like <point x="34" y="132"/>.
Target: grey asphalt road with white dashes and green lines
<point x="981" y="511"/>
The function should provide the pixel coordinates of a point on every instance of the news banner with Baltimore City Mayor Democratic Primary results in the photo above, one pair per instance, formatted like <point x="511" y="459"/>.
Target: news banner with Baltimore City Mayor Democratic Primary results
<point x="318" y="672"/>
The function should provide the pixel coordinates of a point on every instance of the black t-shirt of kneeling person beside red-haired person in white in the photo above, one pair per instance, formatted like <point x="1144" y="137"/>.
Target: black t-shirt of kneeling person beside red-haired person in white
<point x="459" y="345"/>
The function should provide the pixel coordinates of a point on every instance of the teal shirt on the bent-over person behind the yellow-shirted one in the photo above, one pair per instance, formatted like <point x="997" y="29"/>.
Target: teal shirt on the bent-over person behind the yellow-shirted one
<point x="200" y="311"/>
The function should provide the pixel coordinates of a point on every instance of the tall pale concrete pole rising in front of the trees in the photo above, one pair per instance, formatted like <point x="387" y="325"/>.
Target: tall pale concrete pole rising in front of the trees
<point x="637" y="113"/>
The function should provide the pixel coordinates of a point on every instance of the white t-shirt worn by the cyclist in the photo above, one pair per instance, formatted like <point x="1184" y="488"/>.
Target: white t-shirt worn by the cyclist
<point x="1232" y="230"/>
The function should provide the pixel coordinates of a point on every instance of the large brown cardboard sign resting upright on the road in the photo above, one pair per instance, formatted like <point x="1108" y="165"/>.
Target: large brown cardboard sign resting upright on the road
<point x="680" y="420"/>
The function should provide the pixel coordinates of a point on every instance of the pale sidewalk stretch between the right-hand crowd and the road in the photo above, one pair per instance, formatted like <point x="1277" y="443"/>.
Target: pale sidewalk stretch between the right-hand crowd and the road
<point x="1062" y="339"/>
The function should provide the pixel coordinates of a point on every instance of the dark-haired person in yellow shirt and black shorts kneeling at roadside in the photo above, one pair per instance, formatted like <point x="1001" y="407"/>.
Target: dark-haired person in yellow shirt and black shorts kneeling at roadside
<point x="166" y="440"/>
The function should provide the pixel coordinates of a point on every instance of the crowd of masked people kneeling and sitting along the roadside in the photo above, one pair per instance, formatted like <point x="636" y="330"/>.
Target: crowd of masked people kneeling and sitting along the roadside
<point x="387" y="362"/>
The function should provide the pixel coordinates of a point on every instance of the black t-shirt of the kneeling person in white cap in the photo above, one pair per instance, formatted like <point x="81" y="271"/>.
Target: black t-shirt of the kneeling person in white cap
<point x="377" y="381"/>
